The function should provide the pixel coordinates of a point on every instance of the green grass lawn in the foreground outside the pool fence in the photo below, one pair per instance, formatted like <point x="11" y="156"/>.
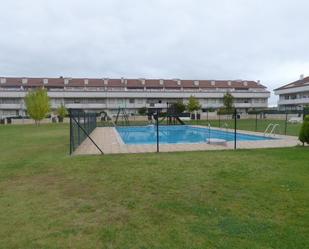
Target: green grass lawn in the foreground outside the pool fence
<point x="223" y="199"/>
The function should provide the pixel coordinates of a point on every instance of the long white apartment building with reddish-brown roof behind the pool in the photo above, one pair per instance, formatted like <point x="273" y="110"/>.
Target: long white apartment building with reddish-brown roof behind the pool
<point x="132" y="94"/>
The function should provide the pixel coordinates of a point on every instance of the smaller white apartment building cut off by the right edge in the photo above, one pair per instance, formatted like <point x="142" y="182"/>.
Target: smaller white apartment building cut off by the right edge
<point x="295" y="95"/>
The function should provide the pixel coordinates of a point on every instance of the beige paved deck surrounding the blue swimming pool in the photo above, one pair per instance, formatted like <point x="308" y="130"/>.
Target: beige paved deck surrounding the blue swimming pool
<point x="110" y="142"/>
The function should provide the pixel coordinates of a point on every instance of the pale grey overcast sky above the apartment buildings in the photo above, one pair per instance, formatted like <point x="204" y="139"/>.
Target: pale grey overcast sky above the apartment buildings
<point x="265" y="40"/>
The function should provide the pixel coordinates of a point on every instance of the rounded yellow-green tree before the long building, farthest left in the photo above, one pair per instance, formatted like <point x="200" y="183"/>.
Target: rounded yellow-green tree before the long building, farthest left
<point x="37" y="104"/>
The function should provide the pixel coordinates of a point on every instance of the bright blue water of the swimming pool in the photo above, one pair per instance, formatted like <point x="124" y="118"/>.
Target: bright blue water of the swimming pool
<point x="178" y="134"/>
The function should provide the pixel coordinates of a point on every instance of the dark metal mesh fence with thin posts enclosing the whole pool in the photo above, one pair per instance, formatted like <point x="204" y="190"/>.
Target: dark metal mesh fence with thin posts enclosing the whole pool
<point x="267" y="122"/>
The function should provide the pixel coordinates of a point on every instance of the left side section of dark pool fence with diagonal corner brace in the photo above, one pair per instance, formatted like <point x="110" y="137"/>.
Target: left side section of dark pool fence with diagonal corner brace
<point x="81" y="125"/>
